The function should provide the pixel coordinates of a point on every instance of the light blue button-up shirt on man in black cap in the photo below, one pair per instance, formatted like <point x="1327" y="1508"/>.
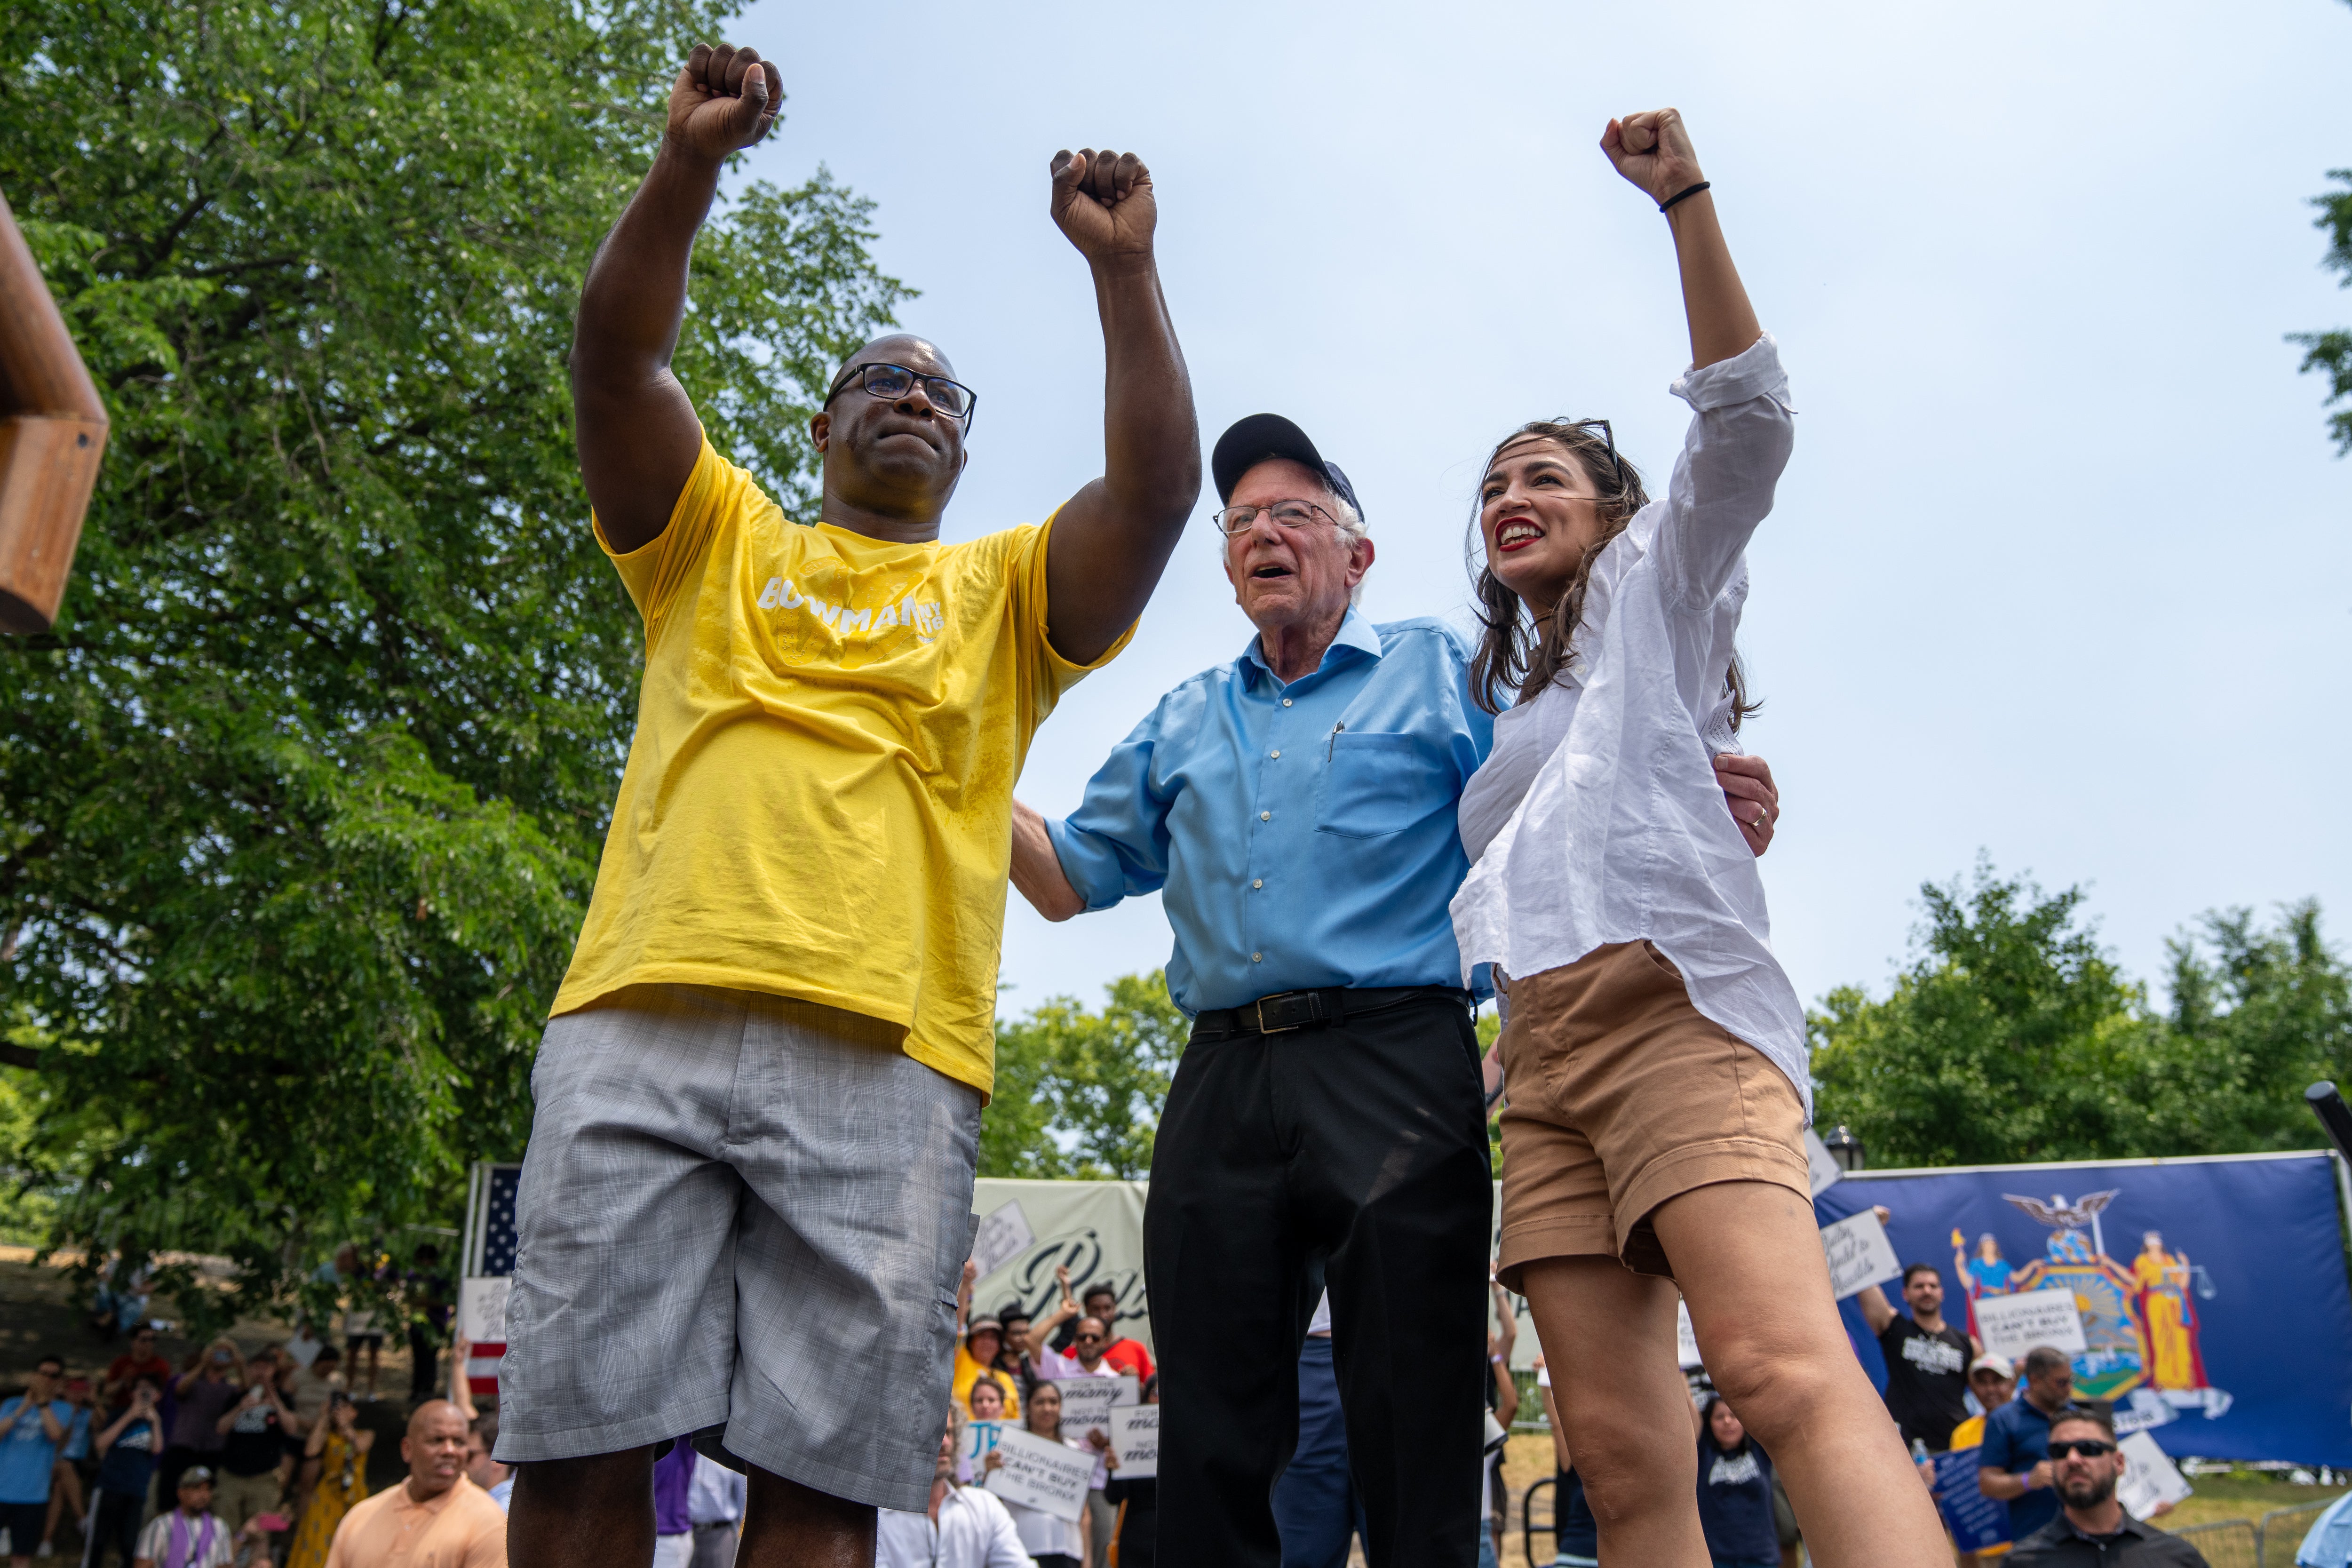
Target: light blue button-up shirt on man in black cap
<point x="1307" y="833"/>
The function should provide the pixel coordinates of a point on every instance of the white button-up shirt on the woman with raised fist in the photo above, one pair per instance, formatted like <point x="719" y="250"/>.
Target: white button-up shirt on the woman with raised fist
<point x="1598" y="817"/>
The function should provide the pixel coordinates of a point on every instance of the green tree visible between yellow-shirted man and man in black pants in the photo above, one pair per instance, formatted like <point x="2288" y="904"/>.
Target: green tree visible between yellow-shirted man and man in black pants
<point x="1078" y="1094"/>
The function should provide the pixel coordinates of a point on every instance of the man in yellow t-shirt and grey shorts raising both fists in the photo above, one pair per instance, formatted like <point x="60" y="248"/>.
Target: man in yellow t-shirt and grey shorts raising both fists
<point x="759" y="1099"/>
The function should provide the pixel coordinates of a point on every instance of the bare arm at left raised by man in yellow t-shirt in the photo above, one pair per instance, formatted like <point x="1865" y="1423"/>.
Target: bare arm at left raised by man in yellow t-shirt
<point x="634" y="424"/>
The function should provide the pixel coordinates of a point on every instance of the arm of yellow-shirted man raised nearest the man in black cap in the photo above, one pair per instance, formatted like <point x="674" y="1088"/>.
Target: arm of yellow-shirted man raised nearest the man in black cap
<point x="1116" y="535"/>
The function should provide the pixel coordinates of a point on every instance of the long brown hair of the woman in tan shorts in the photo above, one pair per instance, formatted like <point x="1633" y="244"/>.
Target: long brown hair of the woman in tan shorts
<point x="1525" y="652"/>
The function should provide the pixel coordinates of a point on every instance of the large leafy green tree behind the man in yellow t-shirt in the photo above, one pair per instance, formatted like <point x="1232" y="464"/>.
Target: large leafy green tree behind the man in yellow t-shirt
<point x="302" y="798"/>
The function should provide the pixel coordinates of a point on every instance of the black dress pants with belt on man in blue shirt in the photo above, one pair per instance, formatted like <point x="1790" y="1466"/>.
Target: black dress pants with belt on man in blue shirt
<point x="1349" y="1155"/>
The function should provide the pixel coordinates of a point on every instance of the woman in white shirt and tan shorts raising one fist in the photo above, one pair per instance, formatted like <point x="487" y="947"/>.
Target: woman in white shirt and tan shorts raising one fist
<point x="1655" y="1052"/>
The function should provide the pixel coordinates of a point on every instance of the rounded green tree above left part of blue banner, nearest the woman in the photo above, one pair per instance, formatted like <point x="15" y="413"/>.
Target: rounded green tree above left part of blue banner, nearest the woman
<point x="2010" y="1038"/>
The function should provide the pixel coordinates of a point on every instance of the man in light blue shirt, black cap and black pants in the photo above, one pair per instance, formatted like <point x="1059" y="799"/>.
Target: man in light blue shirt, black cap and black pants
<point x="1328" y="1125"/>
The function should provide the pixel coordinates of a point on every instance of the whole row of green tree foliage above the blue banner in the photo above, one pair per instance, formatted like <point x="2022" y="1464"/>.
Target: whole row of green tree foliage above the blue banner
<point x="2012" y="1038"/>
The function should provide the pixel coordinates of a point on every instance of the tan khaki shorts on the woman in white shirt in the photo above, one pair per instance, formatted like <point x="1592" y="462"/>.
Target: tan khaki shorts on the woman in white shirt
<point x="1624" y="1097"/>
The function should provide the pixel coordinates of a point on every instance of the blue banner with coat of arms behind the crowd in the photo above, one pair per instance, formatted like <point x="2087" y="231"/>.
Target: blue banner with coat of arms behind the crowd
<point x="2212" y="1292"/>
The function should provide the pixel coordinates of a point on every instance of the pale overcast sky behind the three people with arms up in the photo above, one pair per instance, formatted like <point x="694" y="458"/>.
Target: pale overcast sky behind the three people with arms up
<point x="2059" y="570"/>
